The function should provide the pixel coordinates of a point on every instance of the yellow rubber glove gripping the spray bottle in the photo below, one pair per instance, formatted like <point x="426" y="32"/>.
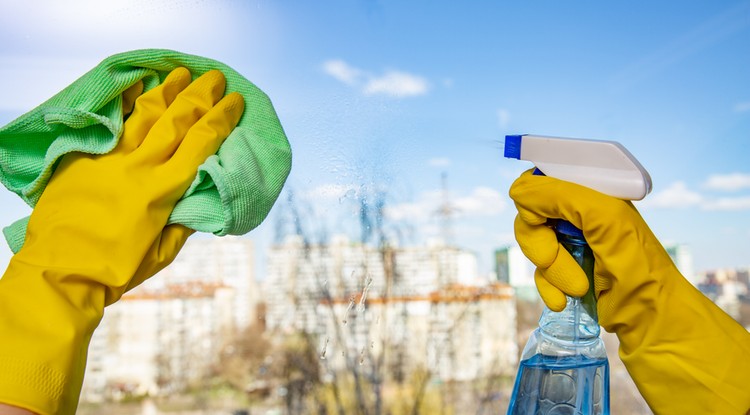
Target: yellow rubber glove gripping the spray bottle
<point x="684" y="353"/>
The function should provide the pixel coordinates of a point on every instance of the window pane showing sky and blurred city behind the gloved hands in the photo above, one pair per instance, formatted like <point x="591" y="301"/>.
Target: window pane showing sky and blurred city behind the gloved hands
<point x="387" y="276"/>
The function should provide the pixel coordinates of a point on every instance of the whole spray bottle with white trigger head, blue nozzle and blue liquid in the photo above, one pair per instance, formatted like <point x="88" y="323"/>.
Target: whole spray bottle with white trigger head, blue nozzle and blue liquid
<point x="564" y="367"/>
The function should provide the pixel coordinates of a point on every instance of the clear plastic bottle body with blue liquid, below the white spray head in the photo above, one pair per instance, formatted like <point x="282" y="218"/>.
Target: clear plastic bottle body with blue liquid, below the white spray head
<point x="564" y="368"/>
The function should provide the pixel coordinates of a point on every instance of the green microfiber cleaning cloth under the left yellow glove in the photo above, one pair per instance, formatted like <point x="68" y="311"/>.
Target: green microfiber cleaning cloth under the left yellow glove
<point x="233" y="191"/>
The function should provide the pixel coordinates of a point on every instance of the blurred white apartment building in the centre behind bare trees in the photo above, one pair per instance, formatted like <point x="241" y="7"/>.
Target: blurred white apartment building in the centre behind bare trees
<point x="408" y="308"/>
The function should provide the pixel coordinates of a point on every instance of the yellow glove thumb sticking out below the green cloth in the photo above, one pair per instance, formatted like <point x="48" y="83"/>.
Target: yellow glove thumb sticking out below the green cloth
<point x="161" y="253"/>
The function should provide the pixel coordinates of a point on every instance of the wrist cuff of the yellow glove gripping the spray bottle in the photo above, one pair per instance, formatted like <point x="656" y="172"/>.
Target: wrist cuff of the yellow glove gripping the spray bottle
<point x="691" y="357"/>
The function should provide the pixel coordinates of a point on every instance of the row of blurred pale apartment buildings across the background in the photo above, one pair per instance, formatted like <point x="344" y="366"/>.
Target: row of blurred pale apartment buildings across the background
<point x="162" y="323"/>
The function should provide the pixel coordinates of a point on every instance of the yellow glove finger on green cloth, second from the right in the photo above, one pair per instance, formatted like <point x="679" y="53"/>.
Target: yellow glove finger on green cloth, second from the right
<point x="190" y="106"/>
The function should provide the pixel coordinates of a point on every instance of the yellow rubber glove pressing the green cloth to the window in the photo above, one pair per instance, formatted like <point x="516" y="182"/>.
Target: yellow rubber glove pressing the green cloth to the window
<point x="98" y="230"/>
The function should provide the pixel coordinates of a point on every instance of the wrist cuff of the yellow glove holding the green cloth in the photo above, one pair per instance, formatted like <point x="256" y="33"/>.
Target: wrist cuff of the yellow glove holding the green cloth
<point x="42" y="364"/>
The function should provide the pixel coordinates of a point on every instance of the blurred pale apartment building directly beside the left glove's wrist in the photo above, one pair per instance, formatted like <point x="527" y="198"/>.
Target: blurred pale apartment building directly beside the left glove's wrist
<point x="165" y="334"/>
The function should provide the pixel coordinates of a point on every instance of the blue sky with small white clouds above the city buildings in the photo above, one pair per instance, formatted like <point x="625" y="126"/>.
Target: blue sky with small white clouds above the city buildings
<point x="392" y="94"/>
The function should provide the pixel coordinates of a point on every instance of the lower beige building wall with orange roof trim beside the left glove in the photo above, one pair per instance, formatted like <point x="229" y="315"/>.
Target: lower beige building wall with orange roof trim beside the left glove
<point x="158" y="341"/>
